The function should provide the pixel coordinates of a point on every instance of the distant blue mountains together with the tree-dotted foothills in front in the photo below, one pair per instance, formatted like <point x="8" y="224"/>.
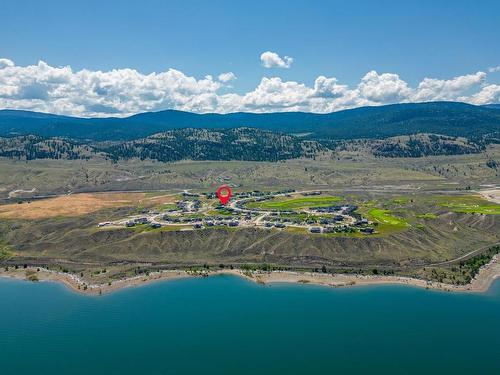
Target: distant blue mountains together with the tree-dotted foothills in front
<point x="400" y="130"/>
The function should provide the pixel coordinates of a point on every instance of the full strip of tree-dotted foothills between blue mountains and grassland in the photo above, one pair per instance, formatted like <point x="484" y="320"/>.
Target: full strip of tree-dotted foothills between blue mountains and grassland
<point x="230" y="144"/>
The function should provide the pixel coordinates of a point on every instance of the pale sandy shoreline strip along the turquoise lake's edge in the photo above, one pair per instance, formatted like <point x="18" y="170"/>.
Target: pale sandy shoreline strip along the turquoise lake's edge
<point x="480" y="284"/>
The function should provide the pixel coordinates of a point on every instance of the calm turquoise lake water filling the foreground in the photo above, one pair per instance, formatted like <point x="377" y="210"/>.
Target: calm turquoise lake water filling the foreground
<point x="227" y="325"/>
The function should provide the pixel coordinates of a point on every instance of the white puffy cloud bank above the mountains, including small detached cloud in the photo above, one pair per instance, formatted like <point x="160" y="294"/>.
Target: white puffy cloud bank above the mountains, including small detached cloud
<point x="122" y="92"/>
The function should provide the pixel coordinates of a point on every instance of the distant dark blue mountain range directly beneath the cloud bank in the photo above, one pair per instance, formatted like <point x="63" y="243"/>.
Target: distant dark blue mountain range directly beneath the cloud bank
<point x="478" y="123"/>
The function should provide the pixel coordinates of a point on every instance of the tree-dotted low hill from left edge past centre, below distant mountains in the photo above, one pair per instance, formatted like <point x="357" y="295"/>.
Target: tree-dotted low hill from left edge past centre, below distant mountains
<point x="181" y="144"/>
